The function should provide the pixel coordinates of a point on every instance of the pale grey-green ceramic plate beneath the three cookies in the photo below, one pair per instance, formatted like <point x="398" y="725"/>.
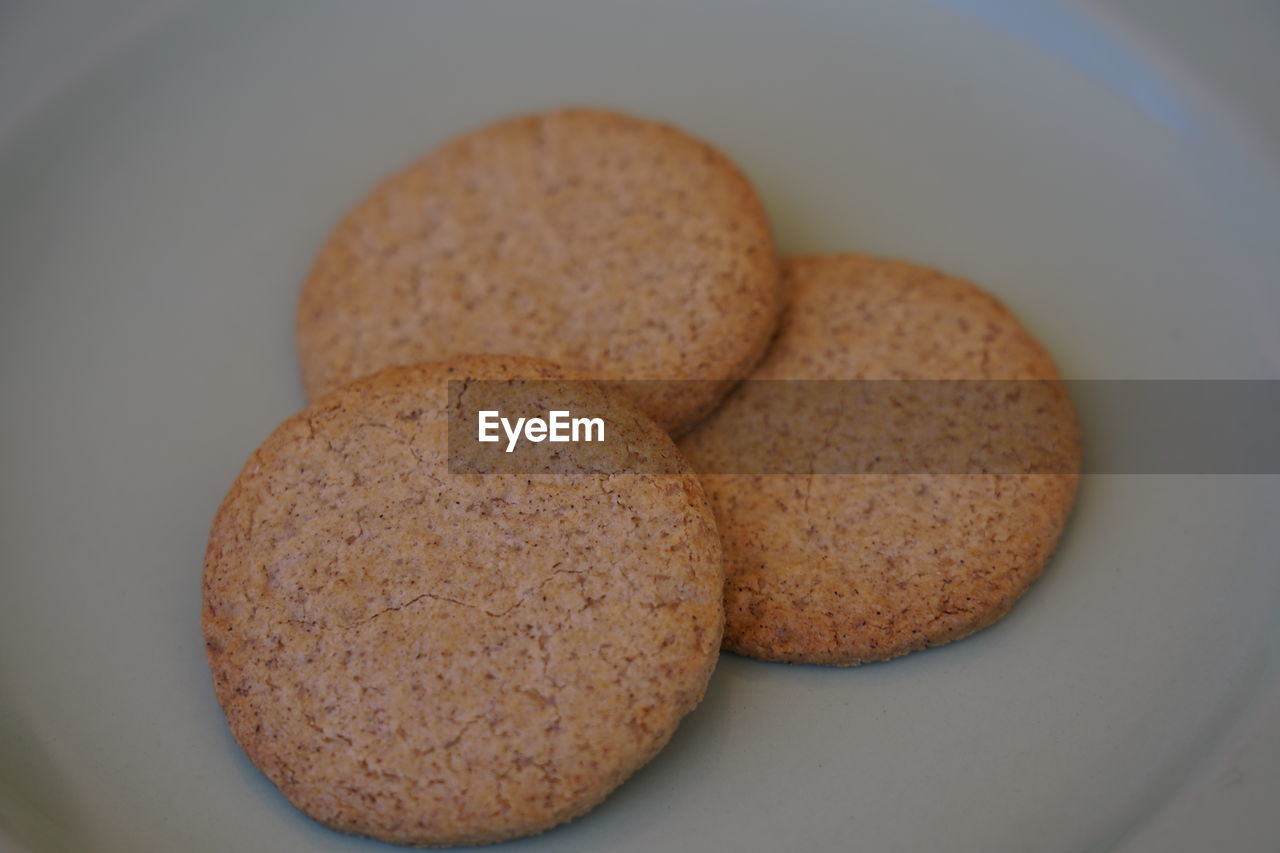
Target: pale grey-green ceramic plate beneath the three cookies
<point x="166" y="175"/>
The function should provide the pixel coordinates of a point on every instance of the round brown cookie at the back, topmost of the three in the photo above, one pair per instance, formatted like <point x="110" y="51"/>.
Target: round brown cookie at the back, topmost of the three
<point x="604" y="243"/>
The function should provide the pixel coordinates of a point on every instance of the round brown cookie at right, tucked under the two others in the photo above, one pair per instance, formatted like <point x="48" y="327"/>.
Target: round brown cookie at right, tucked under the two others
<point x="843" y="569"/>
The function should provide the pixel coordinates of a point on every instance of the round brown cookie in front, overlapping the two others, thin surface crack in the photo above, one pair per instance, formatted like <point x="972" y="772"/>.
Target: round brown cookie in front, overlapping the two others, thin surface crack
<point x="431" y="658"/>
